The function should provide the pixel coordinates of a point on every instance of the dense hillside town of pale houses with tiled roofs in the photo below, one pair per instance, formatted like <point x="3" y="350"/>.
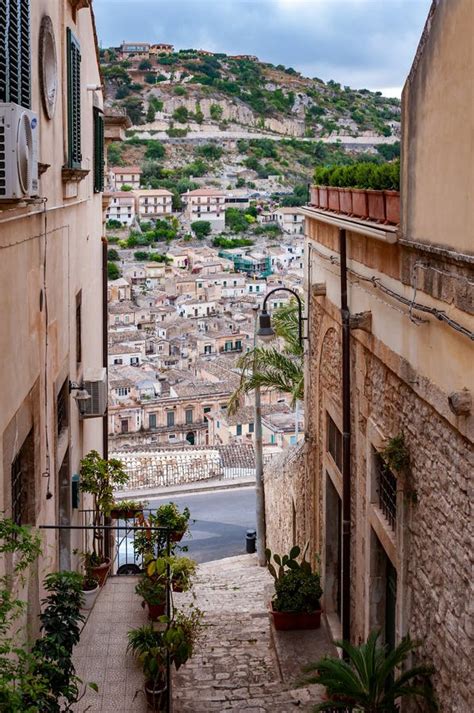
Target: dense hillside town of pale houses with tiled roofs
<point x="177" y="328"/>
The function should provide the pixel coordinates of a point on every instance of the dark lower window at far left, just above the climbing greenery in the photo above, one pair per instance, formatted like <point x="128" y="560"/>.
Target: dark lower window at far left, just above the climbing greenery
<point x="23" y="482"/>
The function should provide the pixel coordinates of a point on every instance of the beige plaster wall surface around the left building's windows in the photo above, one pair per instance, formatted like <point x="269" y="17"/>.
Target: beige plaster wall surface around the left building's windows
<point x="51" y="249"/>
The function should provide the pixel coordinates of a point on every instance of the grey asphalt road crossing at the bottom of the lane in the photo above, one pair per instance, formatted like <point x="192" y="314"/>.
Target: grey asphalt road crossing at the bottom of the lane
<point x="219" y="521"/>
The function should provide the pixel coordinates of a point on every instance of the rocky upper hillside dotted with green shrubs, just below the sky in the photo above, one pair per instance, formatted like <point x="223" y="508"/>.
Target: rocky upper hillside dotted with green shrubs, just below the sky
<point x="192" y="93"/>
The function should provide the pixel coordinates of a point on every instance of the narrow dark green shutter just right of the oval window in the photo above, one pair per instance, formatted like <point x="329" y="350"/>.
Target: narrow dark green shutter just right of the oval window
<point x="74" y="100"/>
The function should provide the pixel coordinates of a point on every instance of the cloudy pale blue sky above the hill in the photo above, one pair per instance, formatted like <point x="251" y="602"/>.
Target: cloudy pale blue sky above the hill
<point x="361" y="43"/>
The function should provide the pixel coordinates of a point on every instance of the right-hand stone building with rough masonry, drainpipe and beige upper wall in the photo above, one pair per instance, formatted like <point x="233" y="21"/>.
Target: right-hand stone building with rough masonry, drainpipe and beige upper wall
<point x="410" y="332"/>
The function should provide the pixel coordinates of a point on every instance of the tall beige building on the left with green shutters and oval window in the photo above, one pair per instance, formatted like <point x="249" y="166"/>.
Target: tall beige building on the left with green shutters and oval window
<point x="51" y="276"/>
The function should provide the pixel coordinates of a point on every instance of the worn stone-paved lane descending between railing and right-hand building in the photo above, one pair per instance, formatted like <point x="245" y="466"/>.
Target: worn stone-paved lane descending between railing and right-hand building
<point x="235" y="666"/>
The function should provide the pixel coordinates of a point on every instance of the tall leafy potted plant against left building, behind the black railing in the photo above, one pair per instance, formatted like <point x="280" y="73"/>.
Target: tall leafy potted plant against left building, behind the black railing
<point x="99" y="477"/>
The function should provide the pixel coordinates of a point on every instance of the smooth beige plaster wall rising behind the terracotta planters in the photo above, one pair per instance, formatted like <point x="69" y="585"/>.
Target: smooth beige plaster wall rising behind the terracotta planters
<point x="438" y="132"/>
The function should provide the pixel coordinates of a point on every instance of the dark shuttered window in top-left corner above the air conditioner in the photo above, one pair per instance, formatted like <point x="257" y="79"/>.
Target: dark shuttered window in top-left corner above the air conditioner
<point x="15" y="52"/>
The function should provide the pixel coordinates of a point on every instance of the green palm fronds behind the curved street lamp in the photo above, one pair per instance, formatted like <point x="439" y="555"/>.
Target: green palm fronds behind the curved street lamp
<point x="271" y="367"/>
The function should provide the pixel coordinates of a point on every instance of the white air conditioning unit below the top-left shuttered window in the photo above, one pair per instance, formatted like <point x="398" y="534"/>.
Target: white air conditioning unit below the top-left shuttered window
<point x="18" y="153"/>
